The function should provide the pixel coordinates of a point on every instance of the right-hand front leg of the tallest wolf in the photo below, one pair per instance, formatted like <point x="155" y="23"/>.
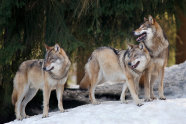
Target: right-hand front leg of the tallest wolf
<point x="161" y="91"/>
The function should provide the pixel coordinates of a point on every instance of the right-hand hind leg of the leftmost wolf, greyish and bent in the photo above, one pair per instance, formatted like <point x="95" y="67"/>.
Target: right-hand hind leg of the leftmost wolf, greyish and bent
<point x="29" y="96"/>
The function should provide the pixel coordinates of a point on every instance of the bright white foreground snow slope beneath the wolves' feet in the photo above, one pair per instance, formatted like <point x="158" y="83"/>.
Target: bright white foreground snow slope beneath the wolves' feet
<point x="171" y="111"/>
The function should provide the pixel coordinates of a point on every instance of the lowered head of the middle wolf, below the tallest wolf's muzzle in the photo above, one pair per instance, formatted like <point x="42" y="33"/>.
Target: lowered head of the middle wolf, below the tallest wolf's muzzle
<point x="137" y="57"/>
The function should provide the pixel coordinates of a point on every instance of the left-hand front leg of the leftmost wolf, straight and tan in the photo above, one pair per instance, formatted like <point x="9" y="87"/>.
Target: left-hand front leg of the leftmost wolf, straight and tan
<point x="46" y="95"/>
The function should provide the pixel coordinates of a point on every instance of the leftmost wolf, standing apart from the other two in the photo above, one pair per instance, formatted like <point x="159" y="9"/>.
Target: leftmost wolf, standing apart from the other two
<point x="48" y="74"/>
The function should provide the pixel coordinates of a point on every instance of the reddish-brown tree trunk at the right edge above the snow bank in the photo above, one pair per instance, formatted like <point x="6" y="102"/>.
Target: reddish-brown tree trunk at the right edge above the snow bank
<point x="180" y="37"/>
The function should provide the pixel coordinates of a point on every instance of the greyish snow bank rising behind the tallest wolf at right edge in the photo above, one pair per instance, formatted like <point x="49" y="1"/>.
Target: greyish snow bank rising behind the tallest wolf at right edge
<point x="175" y="81"/>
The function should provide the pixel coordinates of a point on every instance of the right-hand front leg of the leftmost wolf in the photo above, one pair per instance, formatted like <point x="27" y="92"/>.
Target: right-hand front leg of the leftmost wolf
<point x="59" y="93"/>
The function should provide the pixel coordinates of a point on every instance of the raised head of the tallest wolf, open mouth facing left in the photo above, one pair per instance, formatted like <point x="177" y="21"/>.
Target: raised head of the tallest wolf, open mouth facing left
<point x="146" y="30"/>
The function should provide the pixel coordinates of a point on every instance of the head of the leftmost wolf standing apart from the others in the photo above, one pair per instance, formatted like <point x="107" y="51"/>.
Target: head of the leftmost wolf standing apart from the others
<point x="54" y="58"/>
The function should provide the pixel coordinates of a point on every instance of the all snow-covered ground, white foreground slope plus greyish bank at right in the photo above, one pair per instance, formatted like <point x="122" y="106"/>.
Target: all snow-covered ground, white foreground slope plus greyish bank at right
<point x="170" y="111"/>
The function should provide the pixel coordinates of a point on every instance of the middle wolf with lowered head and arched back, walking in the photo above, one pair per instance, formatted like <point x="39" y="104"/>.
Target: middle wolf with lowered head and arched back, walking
<point x="109" y="64"/>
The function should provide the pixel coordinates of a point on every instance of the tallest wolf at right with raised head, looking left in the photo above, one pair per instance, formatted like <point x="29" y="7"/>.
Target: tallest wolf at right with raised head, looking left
<point x="152" y="35"/>
